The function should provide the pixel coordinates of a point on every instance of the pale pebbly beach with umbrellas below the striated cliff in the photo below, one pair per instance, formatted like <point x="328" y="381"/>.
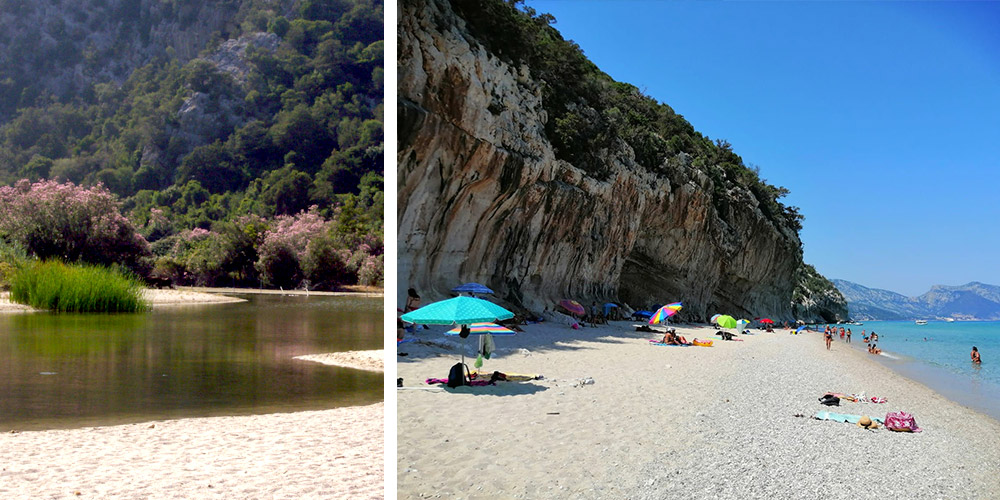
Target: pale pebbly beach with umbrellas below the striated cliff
<point x="677" y="422"/>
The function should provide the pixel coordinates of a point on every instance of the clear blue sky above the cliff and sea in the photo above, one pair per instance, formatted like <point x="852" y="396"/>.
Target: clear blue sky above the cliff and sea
<point x="882" y="118"/>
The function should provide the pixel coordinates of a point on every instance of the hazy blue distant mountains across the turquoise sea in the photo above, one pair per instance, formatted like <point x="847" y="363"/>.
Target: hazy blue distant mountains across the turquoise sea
<point x="972" y="301"/>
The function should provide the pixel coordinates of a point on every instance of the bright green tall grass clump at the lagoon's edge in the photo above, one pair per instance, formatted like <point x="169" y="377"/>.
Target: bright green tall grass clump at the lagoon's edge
<point x="61" y="287"/>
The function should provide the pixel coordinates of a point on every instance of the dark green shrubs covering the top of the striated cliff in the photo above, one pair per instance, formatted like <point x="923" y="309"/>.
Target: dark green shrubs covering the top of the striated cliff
<point x="590" y="113"/>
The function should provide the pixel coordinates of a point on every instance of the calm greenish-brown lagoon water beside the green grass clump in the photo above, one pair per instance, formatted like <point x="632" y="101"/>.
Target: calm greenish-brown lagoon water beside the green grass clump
<point x="75" y="370"/>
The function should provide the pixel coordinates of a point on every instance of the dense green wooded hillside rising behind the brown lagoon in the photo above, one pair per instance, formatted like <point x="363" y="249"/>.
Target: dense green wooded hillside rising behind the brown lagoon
<point x="279" y="118"/>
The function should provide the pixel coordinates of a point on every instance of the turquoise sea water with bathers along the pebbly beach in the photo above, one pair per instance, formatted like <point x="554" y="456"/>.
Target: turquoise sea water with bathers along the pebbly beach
<point x="937" y="355"/>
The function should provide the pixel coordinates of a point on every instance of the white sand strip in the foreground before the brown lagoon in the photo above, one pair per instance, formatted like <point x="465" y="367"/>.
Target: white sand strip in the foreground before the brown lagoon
<point x="320" y="454"/>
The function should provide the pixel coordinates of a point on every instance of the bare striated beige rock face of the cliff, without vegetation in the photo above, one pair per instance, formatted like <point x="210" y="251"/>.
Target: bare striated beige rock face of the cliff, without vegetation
<point x="483" y="198"/>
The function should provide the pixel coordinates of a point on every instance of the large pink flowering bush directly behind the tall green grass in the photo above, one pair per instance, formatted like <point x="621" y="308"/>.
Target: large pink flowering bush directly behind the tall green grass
<point x="72" y="223"/>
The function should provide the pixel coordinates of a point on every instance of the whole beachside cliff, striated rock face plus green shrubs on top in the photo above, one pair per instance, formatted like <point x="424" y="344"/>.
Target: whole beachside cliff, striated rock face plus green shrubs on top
<point x="524" y="167"/>
